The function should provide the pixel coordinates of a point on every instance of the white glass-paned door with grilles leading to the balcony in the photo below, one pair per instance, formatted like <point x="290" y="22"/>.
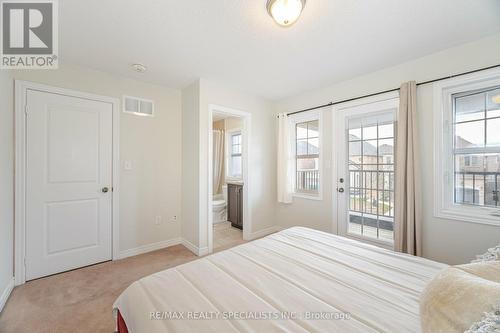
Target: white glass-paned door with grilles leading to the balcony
<point x="365" y="171"/>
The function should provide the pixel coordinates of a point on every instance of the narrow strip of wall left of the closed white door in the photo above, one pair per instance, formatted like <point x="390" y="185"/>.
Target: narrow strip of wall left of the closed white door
<point x="6" y="179"/>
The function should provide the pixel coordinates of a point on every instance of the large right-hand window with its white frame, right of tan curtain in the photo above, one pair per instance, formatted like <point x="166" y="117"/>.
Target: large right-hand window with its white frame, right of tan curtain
<point x="467" y="148"/>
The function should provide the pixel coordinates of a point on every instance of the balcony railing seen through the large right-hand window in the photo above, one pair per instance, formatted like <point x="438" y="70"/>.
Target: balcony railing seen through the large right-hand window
<point x="477" y="188"/>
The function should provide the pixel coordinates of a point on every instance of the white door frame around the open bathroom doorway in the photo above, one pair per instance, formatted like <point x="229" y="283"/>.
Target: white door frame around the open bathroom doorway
<point x="246" y="136"/>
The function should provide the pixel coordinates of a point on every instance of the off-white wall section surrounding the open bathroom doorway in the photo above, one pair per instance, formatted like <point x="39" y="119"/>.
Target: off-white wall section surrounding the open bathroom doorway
<point x="262" y="159"/>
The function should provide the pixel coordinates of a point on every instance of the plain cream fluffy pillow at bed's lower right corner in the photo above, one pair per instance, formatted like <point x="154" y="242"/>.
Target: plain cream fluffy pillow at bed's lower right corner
<point x="459" y="296"/>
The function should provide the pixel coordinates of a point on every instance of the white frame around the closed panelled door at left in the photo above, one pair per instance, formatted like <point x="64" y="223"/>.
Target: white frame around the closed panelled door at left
<point x="21" y="91"/>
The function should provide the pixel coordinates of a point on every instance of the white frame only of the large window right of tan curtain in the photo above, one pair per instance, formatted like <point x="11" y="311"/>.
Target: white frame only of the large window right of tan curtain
<point x="444" y="205"/>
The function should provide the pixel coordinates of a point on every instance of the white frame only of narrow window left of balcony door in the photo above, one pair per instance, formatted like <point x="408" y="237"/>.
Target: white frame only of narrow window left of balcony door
<point x="294" y="120"/>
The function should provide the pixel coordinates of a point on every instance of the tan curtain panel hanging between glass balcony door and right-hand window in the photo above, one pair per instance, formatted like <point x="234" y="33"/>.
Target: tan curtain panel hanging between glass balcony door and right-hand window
<point x="408" y="224"/>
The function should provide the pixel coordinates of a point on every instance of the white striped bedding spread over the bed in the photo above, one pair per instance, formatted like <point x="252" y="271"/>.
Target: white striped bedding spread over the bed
<point x="297" y="272"/>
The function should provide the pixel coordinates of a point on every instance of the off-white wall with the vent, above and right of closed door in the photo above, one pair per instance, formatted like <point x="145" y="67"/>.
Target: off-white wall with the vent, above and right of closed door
<point x="153" y="186"/>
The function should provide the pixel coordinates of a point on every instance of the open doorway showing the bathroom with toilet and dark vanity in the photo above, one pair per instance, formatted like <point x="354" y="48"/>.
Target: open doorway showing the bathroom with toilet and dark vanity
<point x="228" y="174"/>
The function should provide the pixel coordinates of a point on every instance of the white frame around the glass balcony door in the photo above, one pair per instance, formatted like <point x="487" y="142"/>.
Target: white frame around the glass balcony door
<point x="337" y="152"/>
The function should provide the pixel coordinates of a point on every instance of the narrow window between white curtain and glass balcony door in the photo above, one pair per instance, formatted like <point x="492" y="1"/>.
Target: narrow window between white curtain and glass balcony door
<point x="306" y="149"/>
